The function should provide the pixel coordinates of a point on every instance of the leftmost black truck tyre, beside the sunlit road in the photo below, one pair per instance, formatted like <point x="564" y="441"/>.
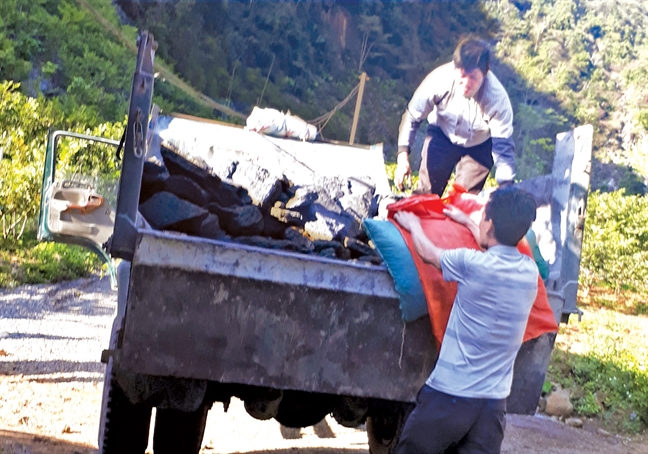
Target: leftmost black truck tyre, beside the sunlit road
<point x="124" y="426"/>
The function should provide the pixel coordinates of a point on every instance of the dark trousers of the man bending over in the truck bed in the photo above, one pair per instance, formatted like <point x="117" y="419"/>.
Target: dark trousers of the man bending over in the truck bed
<point x="439" y="158"/>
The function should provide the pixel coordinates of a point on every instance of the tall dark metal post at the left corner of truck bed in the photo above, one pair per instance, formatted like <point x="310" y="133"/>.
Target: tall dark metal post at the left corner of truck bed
<point x="122" y="244"/>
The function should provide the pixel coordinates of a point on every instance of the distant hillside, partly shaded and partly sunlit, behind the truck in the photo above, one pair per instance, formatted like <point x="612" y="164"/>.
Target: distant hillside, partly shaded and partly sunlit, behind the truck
<point x="563" y="62"/>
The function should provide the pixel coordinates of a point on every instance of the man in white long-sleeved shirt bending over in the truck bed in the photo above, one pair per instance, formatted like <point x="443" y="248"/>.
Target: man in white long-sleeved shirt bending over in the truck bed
<point x="470" y="124"/>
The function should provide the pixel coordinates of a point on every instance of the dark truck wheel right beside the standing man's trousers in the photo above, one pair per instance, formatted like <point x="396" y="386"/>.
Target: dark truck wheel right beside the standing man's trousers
<point x="384" y="428"/>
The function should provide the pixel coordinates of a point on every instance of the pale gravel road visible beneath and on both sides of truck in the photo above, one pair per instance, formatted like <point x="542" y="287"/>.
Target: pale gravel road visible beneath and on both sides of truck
<point x="51" y="337"/>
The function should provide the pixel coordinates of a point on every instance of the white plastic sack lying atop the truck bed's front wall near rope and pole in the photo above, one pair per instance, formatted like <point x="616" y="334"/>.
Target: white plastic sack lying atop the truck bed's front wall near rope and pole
<point x="278" y="124"/>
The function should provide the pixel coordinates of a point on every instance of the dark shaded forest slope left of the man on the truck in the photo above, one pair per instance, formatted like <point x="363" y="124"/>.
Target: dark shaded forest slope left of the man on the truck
<point x="311" y="53"/>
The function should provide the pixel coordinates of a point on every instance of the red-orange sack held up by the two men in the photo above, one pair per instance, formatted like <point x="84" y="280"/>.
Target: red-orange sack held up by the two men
<point x="448" y="234"/>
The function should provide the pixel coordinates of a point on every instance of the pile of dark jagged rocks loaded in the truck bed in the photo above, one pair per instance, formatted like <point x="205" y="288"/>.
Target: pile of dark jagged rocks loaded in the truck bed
<point x="243" y="202"/>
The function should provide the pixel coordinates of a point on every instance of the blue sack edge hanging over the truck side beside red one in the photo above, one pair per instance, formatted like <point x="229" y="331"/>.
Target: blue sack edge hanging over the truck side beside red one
<point x="394" y="251"/>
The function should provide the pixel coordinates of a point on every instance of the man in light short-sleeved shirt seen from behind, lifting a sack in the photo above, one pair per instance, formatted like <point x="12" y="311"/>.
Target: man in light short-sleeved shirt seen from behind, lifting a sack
<point x="461" y="408"/>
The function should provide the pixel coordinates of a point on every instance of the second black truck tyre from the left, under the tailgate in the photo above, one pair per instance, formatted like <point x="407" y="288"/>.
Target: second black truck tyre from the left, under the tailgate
<point x="178" y="431"/>
